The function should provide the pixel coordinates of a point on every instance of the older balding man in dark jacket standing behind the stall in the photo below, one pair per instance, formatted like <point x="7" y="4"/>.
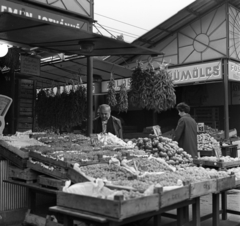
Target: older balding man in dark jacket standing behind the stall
<point x="106" y="123"/>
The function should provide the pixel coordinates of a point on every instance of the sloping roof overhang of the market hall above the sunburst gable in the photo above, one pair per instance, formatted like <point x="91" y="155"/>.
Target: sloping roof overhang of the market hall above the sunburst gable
<point x="172" y="25"/>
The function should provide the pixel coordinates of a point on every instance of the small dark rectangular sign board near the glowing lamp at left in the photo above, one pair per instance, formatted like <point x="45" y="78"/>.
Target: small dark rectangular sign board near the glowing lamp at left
<point x="30" y="65"/>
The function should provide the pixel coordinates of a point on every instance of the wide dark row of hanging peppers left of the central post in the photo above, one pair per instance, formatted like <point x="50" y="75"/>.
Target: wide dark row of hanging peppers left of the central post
<point x="65" y="110"/>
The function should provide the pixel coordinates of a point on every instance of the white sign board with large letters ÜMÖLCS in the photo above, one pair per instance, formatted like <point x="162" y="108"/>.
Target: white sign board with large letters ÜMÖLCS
<point x="197" y="73"/>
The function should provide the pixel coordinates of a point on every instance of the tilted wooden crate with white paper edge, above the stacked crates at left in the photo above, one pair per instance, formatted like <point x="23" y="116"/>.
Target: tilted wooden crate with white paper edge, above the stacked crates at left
<point x="56" y="173"/>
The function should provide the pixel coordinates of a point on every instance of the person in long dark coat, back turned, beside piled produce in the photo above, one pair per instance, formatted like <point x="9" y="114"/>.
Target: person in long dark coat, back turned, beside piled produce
<point x="186" y="131"/>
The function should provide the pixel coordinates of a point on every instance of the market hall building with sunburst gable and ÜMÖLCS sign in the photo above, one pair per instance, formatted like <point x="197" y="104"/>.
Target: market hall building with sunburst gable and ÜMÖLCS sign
<point x="201" y="45"/>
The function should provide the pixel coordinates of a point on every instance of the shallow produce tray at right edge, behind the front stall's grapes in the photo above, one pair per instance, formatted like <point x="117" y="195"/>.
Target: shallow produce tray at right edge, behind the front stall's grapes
<point x="216" y="164"/>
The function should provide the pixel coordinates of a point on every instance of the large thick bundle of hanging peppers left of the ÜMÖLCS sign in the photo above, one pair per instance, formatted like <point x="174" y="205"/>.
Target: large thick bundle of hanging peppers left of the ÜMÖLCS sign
<point x="152" y="89"/>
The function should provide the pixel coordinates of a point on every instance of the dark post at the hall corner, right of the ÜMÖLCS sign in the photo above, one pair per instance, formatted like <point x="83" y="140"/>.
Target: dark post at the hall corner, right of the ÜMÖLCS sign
<point x="226" y="108"/>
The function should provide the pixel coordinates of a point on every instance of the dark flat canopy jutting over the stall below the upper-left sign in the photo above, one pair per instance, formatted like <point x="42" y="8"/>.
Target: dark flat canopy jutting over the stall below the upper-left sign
<point x="30" y="32"/>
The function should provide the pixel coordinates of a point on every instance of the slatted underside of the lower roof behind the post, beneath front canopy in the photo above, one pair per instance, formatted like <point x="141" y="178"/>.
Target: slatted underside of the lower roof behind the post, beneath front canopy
<point x="62" y="72"/>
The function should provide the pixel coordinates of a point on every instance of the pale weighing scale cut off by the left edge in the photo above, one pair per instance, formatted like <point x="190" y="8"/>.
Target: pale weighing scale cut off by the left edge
<point x="5" y="103"/>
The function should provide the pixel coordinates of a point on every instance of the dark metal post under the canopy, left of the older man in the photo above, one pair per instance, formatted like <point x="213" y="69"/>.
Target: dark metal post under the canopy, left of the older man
<point x="89" y="95"/>
